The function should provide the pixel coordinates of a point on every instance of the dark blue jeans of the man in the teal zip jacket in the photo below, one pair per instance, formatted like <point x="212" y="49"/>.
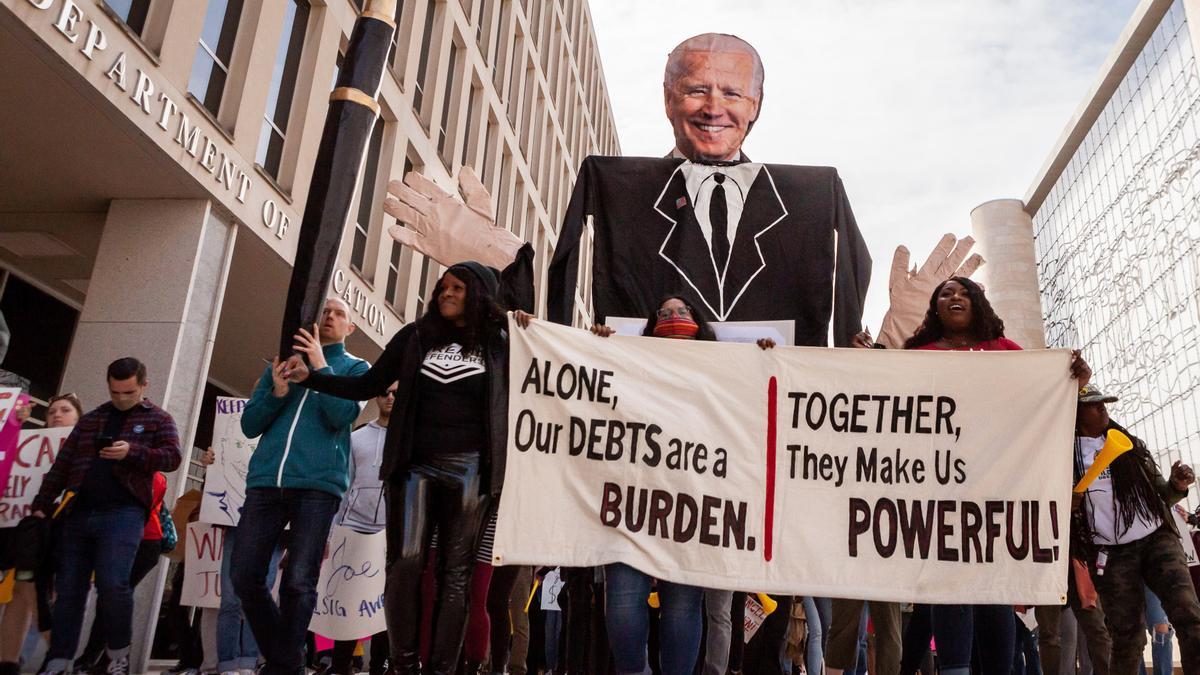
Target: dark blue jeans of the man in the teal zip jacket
<point x="281" y="629"/>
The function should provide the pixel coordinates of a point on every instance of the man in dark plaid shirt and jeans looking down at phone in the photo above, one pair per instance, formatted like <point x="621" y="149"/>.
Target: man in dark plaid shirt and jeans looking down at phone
<point x="105" y="471"/>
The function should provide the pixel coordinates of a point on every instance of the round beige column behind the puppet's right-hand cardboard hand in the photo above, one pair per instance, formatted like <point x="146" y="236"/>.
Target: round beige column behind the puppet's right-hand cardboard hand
<point x="1005" y="237"/>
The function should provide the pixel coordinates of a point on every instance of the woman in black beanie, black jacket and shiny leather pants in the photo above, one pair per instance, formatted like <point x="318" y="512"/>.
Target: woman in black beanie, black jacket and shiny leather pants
<point x="443" y="455"/>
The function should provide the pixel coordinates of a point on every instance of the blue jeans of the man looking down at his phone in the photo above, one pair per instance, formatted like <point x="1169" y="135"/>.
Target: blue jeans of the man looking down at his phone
<point x="104" y="542"/>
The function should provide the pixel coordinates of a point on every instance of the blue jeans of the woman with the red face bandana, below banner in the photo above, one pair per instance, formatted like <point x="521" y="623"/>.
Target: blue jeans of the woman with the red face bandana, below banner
<point x="628" y="619"/>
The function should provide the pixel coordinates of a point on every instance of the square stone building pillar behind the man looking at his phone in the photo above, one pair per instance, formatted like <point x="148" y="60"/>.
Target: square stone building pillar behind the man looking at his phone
<point x="155" y="295"/>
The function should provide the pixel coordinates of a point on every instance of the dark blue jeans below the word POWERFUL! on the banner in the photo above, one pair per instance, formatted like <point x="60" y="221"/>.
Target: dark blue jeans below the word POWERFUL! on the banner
<point x="989" y="629"/>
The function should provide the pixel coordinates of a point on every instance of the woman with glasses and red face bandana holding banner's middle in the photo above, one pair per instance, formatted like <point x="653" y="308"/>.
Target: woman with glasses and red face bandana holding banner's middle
<point x="627" y="613"/>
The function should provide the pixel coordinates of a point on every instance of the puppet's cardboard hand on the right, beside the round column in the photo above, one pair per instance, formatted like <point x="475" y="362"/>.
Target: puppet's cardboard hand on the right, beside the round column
<point x="910" y="290"/>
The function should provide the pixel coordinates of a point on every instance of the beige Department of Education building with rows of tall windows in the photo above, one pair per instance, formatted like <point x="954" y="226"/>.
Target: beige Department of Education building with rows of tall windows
<point x="157" y="157"/>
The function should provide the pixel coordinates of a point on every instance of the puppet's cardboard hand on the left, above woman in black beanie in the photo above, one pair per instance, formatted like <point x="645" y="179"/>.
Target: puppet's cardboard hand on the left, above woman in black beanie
<point x="443" y="228"/>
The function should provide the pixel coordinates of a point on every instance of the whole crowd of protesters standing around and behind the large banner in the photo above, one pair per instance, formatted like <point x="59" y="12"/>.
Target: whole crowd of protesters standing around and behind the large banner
<point x="428" y="473"/>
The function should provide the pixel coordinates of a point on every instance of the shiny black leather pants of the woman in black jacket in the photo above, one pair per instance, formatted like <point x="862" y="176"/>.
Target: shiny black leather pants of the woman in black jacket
<point x="443" y="491"/>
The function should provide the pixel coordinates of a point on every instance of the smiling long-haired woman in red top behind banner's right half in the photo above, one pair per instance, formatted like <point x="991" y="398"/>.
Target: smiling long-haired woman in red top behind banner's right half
<point x="962" y="319"/>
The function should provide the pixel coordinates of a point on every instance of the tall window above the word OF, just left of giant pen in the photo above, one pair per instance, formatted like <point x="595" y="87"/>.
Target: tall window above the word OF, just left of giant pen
<point x="284" y="80"/>
